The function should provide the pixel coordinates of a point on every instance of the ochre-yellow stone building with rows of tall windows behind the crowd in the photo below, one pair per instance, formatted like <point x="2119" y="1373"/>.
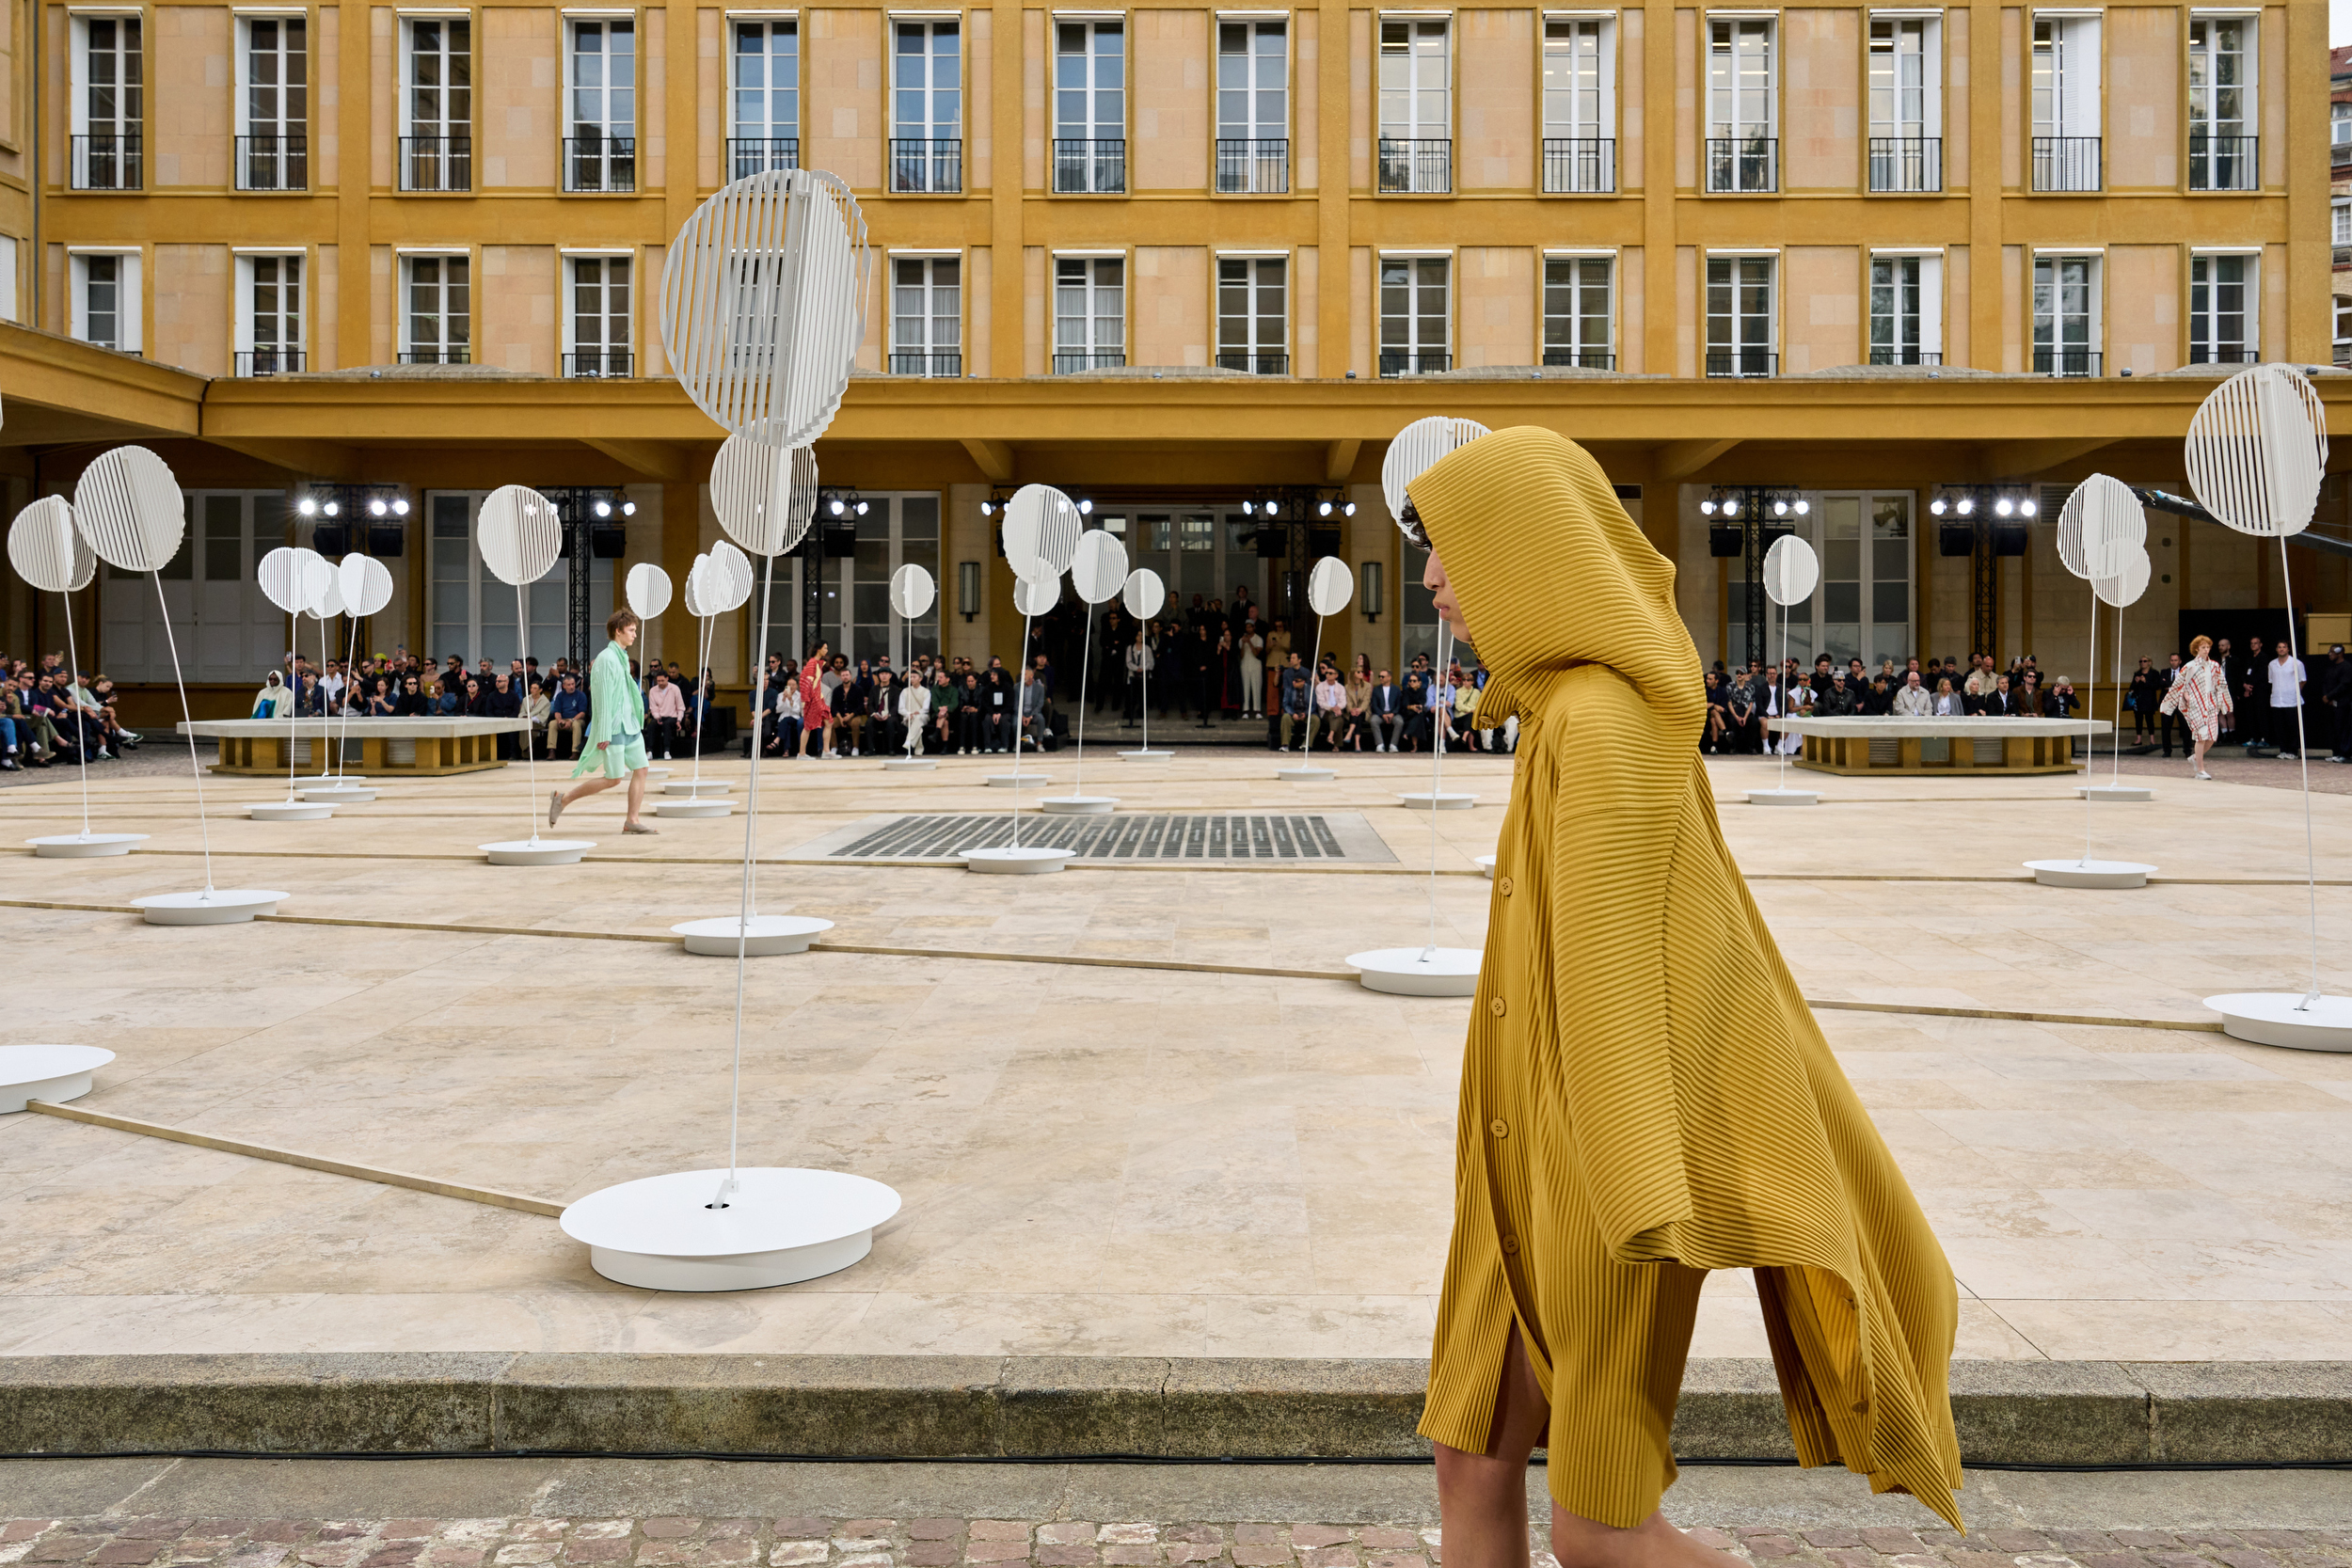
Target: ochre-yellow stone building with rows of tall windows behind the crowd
<point x="1180" y="262"/>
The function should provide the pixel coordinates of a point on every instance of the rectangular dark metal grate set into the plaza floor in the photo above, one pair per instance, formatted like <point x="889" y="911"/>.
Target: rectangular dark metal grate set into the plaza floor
<point x="1142" y="836"/>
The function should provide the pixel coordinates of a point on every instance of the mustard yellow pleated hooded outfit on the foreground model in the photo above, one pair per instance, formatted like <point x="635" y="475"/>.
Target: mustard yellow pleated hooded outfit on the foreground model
<point x="1645" y="1092"/>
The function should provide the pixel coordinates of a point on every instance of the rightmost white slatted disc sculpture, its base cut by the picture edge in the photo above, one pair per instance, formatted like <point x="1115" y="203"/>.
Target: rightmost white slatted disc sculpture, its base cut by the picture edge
<point x="2257" y="455"/>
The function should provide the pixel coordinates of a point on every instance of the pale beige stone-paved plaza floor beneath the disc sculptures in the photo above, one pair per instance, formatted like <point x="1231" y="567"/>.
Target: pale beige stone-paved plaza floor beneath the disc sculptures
<point x="1132" y="1111"/>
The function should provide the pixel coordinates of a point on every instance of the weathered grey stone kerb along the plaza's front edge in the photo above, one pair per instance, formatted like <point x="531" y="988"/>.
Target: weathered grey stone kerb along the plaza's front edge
<point x="1074" y="1407"/>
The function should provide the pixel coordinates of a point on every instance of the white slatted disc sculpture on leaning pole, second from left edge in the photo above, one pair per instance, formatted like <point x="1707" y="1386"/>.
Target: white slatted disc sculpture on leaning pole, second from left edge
<point x="133" y="516"/>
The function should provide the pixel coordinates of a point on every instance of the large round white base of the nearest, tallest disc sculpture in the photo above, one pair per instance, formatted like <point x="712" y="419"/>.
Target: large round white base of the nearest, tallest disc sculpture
<point x="777" y="1228"/>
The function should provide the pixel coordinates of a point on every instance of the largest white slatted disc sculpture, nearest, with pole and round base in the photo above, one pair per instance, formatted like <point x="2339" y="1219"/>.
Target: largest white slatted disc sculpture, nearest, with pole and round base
<point x="763" y="311"/>
